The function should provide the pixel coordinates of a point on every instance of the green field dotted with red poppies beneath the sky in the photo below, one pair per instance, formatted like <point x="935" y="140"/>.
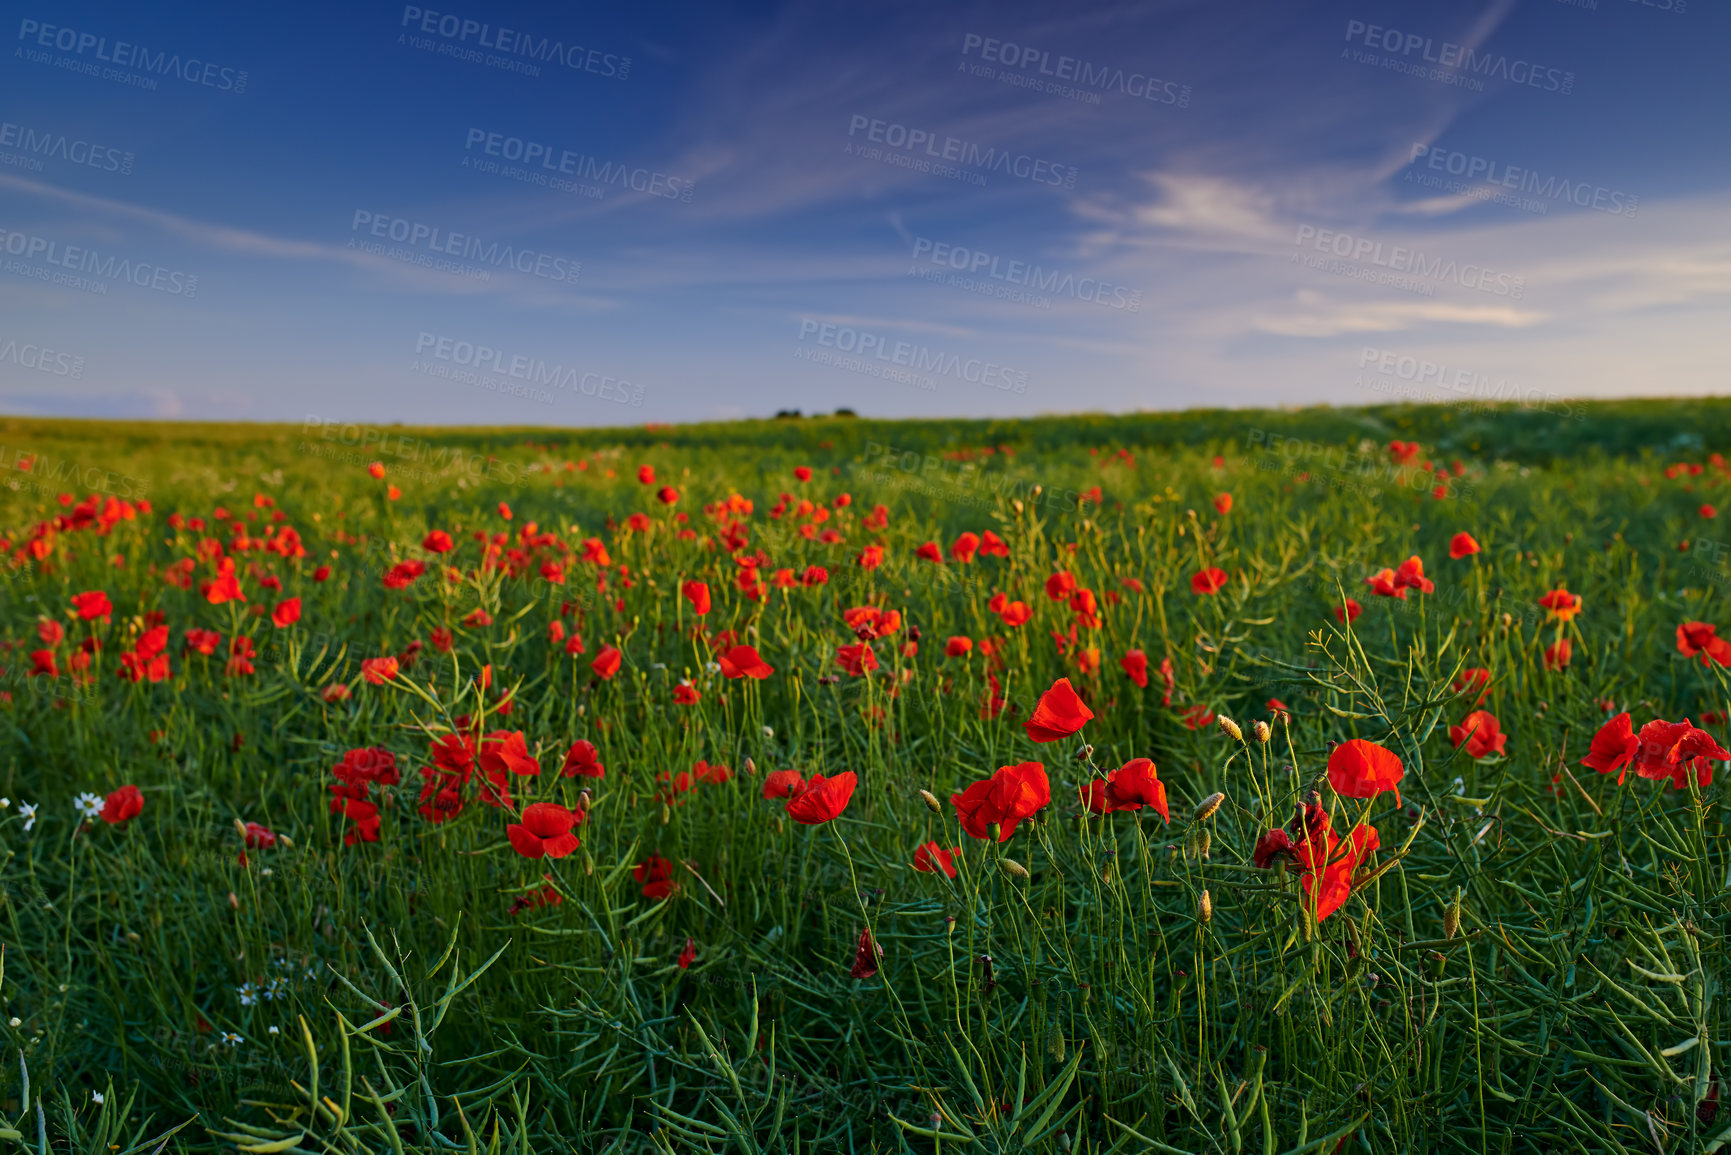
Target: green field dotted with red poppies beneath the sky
<point x="1334" y="780"/>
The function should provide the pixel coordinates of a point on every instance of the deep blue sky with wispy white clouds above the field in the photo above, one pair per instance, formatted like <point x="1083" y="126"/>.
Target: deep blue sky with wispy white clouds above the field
<point x="650" y="212"/>
